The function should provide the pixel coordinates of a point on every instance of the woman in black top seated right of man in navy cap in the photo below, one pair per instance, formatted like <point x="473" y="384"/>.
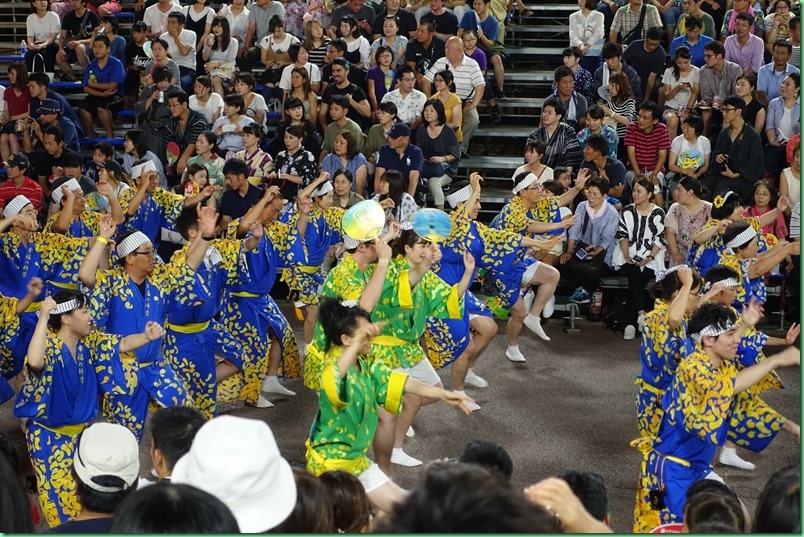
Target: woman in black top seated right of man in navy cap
<point x="440" y="149"/>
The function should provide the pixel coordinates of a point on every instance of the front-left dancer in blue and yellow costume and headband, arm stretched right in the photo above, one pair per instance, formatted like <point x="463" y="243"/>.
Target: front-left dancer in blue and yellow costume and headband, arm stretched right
<point x="69" y="366"/>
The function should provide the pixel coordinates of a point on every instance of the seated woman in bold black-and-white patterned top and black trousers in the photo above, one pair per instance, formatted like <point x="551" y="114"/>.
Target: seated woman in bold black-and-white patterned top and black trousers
<point x="640" y="251"/>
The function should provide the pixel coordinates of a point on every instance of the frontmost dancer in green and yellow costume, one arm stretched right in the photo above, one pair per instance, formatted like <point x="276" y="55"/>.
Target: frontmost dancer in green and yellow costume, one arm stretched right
<point x="354" y="385"/>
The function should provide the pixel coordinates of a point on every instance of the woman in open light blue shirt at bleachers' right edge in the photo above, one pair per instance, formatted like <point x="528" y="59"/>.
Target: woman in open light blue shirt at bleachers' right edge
<point x="783" y="121"/>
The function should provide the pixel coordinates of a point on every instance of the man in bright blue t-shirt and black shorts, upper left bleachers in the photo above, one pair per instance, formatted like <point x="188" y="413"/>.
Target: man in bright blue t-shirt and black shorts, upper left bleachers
<point x="103" y="84"/>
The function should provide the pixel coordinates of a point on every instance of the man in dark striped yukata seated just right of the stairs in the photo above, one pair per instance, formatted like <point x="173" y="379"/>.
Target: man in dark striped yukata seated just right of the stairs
<point x="560" y="139"/>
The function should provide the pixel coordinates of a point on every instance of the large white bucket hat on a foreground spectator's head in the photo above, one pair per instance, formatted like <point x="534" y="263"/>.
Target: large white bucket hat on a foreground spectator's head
<point x="260" y="490"/>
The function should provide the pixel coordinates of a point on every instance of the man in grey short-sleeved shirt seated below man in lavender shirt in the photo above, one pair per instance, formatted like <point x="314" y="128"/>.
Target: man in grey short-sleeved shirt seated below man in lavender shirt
<point x="717" y="80"/>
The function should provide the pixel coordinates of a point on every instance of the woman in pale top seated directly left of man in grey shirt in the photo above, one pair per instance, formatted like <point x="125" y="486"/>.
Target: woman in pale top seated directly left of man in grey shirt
<point x="680" y="88"/>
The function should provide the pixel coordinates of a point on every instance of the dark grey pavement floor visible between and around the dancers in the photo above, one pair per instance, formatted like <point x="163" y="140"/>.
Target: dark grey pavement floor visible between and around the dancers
<point x="571" y="406"/>
